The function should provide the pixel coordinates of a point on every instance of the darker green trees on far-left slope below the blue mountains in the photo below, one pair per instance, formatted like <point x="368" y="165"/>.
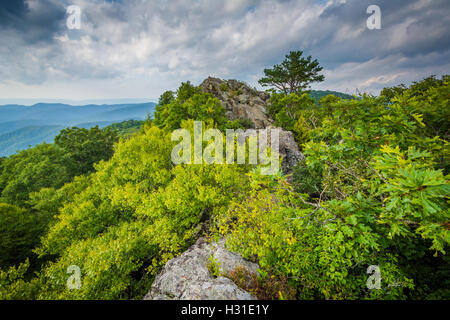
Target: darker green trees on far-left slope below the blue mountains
<point x="32" y="179"/>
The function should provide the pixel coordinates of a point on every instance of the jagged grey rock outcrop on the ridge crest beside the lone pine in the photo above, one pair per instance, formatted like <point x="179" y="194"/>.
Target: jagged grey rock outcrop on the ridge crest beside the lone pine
<point x="243" y="102"/>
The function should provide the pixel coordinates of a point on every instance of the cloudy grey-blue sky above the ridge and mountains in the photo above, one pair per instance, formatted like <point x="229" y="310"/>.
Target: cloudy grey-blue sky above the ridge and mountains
<point x="137" y="49"/>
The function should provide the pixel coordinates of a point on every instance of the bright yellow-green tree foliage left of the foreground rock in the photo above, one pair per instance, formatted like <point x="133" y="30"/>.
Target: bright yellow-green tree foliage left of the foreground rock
<point x="121" y="224"/>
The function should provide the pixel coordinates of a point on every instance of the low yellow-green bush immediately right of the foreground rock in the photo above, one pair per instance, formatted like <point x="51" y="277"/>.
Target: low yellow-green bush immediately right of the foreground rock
<point x="321" y="255"/>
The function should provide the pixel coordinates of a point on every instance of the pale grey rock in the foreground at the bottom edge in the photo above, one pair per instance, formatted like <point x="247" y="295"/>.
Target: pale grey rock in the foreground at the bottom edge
<point x="187" y="277"/>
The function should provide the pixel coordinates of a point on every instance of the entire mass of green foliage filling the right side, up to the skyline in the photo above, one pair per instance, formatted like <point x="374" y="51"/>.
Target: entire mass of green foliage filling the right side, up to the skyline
<point x="372" y="190"/>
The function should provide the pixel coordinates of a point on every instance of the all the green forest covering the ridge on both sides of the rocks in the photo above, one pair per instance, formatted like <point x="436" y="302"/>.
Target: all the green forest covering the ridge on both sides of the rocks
<point x="373" y="190"/>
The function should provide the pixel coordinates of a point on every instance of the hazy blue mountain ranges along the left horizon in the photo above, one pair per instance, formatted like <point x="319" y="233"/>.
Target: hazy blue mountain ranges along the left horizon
<point x="25" y="126"/>
